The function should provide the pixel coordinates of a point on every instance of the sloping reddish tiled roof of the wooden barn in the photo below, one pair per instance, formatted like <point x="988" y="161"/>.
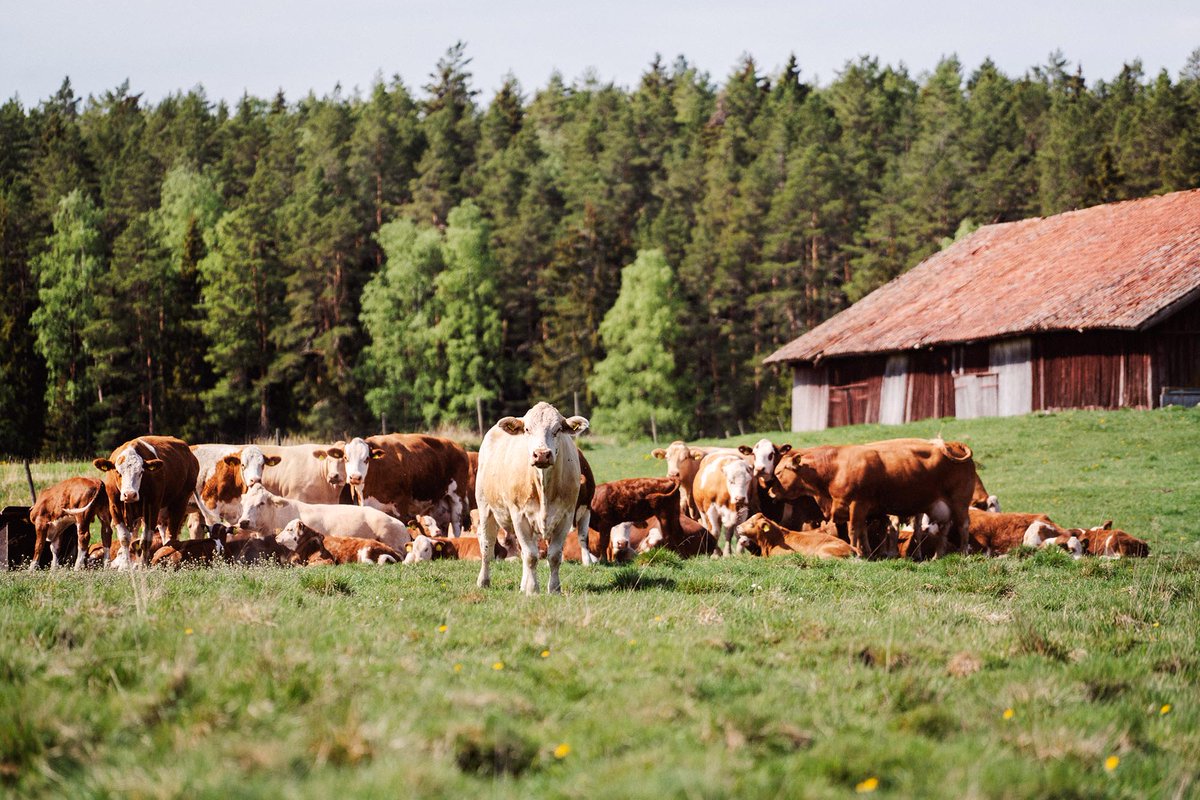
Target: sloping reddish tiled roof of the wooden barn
<point x="1118" y="267"/>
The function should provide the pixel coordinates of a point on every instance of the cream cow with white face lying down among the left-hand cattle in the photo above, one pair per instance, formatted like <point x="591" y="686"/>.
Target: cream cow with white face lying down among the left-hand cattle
<point x="266" y="513"/>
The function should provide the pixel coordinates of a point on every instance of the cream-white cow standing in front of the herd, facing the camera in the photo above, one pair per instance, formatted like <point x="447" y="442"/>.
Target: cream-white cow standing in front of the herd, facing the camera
<point x="529" y="483"/>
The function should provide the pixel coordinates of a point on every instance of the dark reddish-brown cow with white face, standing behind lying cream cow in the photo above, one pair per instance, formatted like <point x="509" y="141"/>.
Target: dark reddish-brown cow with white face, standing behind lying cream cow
<point x="407" y="474"/>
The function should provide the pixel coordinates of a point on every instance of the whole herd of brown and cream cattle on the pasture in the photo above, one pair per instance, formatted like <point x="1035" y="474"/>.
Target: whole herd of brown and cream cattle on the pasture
<point x="409" y="498"/>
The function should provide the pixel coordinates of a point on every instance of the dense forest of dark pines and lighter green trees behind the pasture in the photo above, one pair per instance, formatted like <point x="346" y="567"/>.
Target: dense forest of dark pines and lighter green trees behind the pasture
<point x="407" y="258"/>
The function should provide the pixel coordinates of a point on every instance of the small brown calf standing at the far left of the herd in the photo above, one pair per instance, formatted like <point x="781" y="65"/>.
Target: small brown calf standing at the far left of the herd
<point x="77" y="501"/>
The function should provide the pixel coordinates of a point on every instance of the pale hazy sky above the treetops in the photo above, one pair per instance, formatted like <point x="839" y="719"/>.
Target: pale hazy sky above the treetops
<point x="232" y="47"/>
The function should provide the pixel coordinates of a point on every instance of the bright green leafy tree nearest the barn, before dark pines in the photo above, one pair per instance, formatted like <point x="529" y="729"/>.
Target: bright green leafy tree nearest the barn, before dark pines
<point x="637" y="382"/>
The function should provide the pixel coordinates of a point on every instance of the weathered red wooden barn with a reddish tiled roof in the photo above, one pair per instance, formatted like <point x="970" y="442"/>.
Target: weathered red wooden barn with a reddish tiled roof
<point x="1090" y="309"/>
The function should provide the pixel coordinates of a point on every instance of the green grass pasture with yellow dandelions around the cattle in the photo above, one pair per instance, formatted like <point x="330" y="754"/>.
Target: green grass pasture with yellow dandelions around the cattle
<point x="965" y="678"/>
